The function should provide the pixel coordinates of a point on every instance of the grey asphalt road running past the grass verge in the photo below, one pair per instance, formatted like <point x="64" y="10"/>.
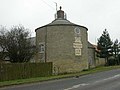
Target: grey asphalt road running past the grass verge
<point x="108" y="80"/>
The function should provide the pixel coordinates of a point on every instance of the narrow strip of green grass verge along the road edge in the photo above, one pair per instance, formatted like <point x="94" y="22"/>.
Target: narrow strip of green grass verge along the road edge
<point x="41" y="79"/>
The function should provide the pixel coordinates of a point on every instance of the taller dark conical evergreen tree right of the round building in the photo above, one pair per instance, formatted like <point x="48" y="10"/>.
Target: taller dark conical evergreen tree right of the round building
<point x="104" y="46"/>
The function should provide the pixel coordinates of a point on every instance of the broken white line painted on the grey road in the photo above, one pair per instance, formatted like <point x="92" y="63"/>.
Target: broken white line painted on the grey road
<point x="84" y="84"/>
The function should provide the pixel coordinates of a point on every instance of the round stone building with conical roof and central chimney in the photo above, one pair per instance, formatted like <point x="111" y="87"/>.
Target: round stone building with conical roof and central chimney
<point x="63" y="43"/>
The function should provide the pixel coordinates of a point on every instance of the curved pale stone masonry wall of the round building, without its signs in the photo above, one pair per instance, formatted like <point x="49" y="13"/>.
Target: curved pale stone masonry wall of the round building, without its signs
<point x="59" y="47"/>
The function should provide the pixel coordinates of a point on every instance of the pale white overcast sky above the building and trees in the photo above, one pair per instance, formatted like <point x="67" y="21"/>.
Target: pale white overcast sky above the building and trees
<point x="96" y="15"/>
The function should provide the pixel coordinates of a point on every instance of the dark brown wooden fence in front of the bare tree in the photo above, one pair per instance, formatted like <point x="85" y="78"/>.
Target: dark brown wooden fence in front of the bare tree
<point x="24" y="70"/>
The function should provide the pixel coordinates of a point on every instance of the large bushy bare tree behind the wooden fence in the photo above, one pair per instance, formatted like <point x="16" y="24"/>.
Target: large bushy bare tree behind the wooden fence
<point x="17" y="44"/>
